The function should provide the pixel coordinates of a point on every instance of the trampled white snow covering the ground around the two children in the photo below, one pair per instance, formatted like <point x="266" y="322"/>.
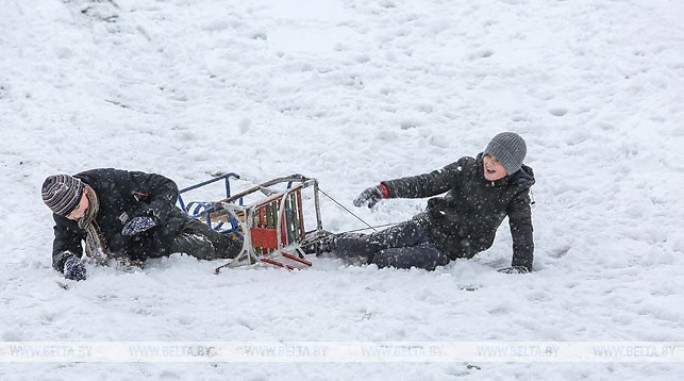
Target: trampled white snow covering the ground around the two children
<point x="352" y="92"/>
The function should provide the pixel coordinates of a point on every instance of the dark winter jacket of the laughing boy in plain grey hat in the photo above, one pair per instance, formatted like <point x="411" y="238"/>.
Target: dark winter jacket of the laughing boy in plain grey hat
<point x="464" y="221"/>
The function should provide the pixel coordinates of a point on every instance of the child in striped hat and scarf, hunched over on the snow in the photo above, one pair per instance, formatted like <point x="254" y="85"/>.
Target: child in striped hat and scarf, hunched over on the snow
<point x="124" y="215"/>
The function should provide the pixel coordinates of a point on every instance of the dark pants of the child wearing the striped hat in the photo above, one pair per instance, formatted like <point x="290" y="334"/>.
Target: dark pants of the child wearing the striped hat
<point x="199" y="240"/>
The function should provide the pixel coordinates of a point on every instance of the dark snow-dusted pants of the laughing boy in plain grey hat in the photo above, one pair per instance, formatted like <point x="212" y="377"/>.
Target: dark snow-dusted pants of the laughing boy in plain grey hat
<point x="402" y="246"/>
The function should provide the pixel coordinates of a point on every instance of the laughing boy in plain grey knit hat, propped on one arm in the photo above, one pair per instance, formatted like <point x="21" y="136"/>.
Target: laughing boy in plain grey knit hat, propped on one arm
<point x="480" y="193"/>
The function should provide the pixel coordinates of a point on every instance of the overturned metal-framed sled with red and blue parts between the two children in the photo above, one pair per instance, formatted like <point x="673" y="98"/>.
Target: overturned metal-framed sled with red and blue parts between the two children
<point x="270" y="228"/>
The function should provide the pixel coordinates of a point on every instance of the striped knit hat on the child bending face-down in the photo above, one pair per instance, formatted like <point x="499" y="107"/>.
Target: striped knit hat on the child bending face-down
<point x="62" y="193"/>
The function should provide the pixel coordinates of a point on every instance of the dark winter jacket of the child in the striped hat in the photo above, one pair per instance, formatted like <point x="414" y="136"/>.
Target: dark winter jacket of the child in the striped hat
<point x="123" y="195"/>
